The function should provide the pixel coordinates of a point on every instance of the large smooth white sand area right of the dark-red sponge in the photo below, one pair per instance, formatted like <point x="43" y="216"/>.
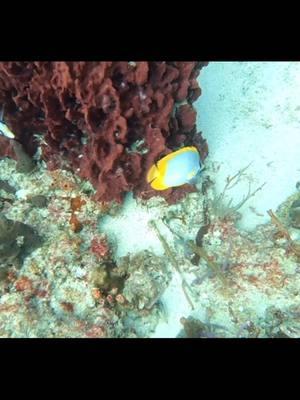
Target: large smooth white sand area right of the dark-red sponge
<point x="250" y="111"/>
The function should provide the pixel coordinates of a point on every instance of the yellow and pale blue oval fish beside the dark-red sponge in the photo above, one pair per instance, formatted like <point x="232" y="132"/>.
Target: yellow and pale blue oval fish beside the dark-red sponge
<point x="175" y="169"/>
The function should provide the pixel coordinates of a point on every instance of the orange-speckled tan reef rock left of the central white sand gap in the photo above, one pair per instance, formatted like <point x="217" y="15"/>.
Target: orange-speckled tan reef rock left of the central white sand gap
<point x="70" y="284"/>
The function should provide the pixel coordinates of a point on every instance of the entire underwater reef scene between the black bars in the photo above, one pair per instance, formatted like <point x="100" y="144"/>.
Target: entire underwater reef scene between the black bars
<point x="149" y="199"/>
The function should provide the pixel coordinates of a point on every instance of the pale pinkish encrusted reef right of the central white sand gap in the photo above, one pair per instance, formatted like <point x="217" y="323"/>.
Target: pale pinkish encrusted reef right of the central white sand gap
<point x="237" y="276"/>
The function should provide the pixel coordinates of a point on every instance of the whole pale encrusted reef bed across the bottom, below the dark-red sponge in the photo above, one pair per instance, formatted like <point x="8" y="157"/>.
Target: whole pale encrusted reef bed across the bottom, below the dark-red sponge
<point x="76" y="283"/>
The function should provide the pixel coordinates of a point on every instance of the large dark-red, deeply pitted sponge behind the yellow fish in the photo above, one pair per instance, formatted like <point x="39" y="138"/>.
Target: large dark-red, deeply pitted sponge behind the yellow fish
<point x="106" y="121"/>
